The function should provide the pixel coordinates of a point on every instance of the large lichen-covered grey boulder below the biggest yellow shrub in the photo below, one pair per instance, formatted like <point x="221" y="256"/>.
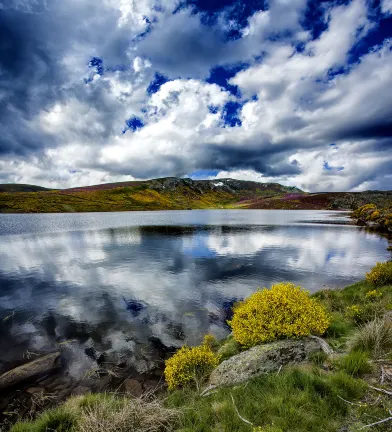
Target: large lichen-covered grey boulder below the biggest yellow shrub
<point x="263" y="359"/>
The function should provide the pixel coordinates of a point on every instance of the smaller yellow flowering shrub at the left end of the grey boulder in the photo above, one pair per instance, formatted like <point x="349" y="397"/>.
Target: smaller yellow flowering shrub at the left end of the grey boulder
<point x="190" y="364"/>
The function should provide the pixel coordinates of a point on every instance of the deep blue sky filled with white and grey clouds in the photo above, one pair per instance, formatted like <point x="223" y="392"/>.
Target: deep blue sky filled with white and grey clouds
<point x="290" y="91"/>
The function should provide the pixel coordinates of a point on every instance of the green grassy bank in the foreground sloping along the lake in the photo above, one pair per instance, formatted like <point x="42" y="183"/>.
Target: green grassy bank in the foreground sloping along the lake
<point x="346" y="391"/>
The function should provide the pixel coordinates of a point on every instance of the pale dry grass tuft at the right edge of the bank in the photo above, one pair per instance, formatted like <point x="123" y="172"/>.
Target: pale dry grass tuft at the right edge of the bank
<point x="375" y="337"/>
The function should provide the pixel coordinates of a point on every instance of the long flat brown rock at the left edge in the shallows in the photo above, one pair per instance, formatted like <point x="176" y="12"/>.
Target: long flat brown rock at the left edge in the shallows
<point x="37" y="367"/>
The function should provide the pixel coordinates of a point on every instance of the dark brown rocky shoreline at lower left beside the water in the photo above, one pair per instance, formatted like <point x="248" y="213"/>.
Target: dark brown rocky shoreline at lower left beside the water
<point x="42" y="383"/>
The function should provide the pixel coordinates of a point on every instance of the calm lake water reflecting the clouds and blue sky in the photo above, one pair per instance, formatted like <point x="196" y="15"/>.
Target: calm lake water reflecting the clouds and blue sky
<point x="130" y="284"/>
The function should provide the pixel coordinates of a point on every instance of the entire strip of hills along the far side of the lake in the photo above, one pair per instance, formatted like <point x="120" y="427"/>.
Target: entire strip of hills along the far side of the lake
<point x="175" y="194"/>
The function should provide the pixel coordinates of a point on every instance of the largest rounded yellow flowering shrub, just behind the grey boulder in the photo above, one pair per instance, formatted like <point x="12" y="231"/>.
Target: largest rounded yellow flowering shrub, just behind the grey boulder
<point x="285" y="310"/>
